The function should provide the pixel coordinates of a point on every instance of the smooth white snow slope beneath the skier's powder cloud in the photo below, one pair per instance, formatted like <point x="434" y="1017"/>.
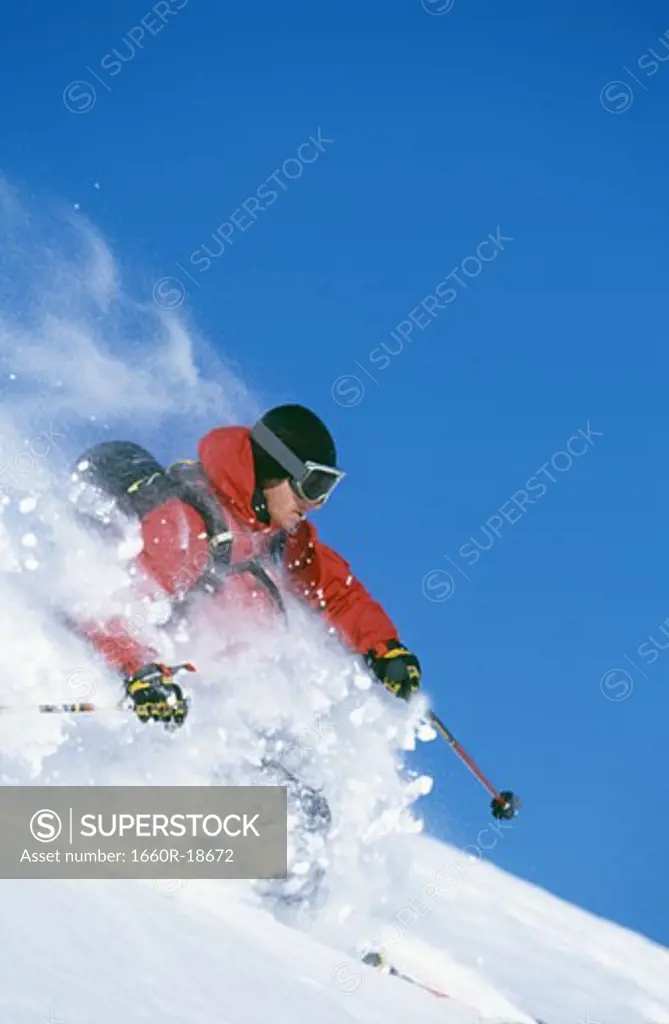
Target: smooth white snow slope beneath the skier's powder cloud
<point x="99" y="953"/>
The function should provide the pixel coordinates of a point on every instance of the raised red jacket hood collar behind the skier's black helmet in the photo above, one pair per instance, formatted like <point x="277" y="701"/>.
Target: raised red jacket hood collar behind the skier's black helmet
<point x="227" y="459"/>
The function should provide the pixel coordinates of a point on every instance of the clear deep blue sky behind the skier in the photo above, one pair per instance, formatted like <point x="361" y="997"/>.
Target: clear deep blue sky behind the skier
<point x="507" y="453"/>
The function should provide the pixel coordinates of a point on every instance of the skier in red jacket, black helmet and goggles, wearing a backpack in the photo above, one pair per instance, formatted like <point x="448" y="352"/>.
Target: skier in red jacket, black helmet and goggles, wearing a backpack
<point x="234" y="525"/>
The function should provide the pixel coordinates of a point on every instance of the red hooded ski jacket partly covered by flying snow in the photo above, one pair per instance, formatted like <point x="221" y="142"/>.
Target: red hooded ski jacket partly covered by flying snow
<point x="177" y="552"/>
